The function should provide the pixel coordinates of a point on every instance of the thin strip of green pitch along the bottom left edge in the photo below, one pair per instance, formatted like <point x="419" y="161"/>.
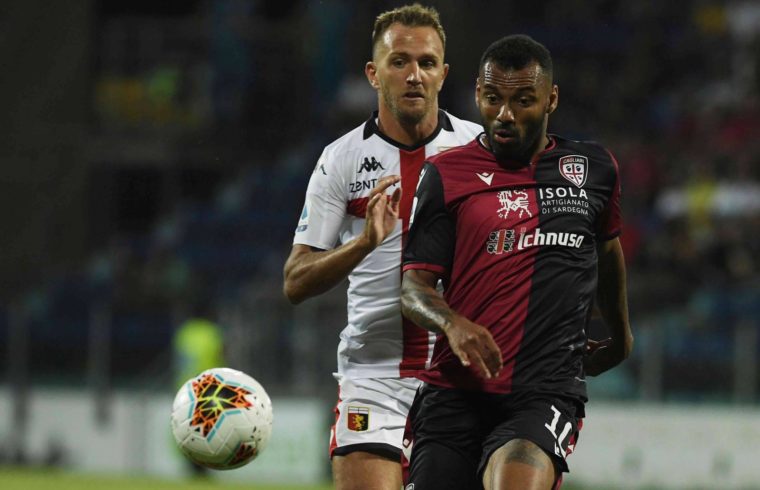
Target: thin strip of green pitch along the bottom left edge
<point x="29" y="479"/>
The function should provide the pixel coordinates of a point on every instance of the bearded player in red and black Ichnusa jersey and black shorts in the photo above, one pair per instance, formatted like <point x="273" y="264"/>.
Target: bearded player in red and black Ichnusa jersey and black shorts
<point x="521" y="226"/>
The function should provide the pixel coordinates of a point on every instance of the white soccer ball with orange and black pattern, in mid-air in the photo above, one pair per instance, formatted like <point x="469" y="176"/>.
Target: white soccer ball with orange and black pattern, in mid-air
<point x="222" y="418"/>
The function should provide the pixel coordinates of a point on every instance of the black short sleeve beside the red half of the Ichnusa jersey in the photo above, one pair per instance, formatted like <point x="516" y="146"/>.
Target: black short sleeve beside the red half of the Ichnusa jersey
<point x="432" y="232"/>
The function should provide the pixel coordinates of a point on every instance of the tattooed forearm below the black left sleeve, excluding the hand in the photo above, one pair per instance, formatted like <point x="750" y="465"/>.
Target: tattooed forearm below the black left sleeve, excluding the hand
<point x="424" y="305"/>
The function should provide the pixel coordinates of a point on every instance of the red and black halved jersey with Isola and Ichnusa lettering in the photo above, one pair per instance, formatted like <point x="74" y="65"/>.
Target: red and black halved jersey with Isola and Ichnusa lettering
<point x="516" y="248"/>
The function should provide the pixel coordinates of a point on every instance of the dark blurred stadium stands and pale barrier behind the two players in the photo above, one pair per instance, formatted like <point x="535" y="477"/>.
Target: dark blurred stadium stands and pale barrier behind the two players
<point x="154" y="159"/>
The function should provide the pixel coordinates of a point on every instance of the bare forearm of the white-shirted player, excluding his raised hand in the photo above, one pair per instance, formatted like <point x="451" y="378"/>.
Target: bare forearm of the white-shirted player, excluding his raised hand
<point x="311" y="274"/>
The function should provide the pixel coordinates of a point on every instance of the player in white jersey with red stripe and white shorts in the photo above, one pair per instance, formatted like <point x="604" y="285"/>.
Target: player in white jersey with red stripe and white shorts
<point x="353" y="223"/>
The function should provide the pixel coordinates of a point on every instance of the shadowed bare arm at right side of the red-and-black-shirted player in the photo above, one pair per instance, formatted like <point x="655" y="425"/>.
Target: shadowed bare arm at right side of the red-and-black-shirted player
<point x="613" y="305"/>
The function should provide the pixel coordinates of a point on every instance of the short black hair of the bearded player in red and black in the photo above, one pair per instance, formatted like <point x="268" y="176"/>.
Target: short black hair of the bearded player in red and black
<point x="516" y="52"/>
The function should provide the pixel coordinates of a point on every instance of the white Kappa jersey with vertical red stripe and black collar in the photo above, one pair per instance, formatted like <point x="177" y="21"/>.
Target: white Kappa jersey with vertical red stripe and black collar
<point x="377" y="342"/>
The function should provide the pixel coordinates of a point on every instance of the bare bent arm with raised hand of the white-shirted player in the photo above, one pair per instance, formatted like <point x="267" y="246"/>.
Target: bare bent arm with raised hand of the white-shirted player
<point x="309" y="272"/>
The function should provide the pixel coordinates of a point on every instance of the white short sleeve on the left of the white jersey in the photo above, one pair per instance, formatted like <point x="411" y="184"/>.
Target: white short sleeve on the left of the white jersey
<point x="324" y="207"/>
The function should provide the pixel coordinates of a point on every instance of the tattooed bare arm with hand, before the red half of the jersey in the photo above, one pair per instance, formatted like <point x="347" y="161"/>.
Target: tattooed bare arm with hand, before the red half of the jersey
<point x="472" y="343"/>
